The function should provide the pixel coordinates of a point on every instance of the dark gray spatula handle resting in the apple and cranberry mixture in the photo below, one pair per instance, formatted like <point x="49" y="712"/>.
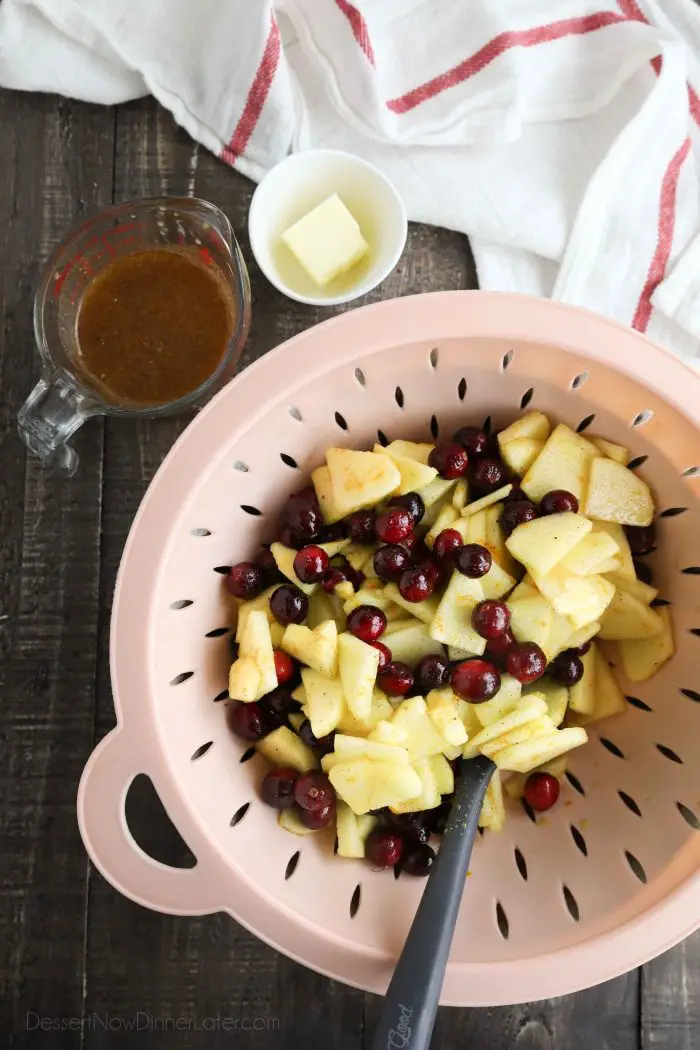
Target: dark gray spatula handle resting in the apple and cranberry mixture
<point x="414" y="994"/>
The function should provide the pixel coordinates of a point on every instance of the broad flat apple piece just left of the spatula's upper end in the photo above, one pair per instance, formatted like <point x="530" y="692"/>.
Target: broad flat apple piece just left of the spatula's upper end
<point x="368" y="786"/>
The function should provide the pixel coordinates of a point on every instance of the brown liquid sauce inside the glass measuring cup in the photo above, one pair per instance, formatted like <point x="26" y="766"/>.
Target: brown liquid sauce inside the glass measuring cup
<point x="154" y="326"/>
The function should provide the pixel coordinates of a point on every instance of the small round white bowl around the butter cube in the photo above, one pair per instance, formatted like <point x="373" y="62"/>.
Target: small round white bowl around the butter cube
<point x="303" y="181"/>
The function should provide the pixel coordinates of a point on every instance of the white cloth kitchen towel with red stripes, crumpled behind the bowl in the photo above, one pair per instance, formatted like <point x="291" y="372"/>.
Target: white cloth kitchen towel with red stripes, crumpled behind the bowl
<point x="563" y="138"/>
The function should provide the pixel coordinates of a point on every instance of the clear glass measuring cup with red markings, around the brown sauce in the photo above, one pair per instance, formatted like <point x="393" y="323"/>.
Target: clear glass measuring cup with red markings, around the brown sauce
<point x="66" y="396"/>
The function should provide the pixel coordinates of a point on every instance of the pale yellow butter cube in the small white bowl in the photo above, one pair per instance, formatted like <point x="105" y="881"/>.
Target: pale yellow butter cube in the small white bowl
<point x="327" y="241"/>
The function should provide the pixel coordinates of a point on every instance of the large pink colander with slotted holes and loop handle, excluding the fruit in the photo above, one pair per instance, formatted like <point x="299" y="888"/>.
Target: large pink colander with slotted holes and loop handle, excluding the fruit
<point x="602" y="884"/>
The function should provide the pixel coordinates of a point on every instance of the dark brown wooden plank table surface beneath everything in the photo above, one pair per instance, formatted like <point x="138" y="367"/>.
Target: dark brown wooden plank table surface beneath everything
<point x="109" y="973"/>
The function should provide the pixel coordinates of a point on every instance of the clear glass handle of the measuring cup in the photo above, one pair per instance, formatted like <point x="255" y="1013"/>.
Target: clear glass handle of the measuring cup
<point x="50" y="416"/>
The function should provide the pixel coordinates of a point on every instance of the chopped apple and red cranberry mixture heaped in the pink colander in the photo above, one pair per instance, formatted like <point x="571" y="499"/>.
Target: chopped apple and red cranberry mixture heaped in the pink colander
<point x="425" y="604"/>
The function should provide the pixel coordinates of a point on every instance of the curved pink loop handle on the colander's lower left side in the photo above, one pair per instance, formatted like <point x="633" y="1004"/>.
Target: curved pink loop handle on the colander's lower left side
<point x="102" y="820"/>
